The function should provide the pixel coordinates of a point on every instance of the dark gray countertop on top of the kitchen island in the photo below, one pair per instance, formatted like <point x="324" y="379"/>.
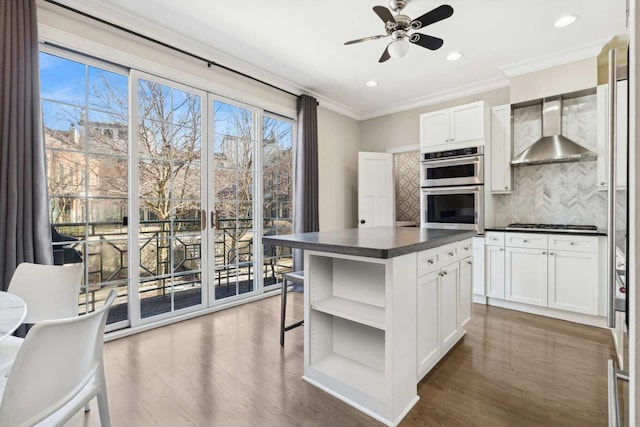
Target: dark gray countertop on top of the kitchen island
<point x="372" y="242"/>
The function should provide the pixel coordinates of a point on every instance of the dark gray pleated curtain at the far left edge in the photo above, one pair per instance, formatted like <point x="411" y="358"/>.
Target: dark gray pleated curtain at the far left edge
<point x="24" y="223"/>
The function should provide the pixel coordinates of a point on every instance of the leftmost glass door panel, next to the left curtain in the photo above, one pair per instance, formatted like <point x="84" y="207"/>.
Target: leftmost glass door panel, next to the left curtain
<point x="86" y="131"/>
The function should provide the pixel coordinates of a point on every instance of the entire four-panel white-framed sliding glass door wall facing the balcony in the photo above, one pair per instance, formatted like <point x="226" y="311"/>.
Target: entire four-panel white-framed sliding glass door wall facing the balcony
<point x="162" y="190"/>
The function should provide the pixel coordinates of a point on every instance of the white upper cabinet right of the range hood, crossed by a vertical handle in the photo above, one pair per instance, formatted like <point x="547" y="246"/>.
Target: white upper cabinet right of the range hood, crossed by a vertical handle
<point x="621" y="139"/>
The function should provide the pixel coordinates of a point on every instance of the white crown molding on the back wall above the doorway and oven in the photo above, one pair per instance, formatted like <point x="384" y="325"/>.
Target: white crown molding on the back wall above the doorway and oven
<point x="438" y="97"/>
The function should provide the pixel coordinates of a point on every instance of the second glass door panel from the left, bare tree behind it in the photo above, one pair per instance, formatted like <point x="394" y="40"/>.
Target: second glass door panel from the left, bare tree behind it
<point x="170" y="198"/>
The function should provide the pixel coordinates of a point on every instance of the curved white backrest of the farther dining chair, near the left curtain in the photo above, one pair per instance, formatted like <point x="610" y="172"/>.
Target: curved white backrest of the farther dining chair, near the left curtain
<point x="50" y="291"/>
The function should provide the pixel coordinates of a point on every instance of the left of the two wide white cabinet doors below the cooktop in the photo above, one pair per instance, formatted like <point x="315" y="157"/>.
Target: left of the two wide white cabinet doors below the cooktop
<point x="526" y="275"/>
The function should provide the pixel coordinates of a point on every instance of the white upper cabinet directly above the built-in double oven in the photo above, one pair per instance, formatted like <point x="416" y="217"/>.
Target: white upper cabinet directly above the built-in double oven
<point x="454" y="127"/>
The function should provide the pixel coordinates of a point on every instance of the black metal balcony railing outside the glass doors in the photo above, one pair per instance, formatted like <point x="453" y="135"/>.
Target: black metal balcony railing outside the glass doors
<point x="170" y="255"/>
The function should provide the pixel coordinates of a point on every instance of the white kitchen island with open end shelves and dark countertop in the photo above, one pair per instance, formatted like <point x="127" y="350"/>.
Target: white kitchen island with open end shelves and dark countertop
<point x="382" y="305"/>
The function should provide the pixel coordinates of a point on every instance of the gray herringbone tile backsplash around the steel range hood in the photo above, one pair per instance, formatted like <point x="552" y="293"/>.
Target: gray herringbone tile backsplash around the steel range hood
<point x="560" y="193"/>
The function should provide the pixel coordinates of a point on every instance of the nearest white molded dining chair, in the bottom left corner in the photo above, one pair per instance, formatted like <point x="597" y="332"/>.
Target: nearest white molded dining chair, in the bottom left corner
<point x="57" y="371"/>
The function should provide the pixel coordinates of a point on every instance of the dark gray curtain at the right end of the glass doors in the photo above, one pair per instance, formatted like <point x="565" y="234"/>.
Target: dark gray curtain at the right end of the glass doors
<point x="306" y="170"/>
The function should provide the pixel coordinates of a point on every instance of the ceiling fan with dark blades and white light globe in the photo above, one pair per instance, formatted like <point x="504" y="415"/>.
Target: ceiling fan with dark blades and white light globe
<point x="399" y="25"/>
